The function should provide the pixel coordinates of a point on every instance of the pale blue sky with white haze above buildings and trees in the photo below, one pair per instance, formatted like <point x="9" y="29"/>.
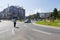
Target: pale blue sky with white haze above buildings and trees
<point x="32" y="6"/>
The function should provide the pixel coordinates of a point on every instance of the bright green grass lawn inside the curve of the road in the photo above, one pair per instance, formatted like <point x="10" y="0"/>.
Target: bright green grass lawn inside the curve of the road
<point x="56" y="23"/>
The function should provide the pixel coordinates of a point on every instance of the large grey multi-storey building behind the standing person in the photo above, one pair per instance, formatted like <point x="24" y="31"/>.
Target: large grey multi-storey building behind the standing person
<point x="13" y="11"/>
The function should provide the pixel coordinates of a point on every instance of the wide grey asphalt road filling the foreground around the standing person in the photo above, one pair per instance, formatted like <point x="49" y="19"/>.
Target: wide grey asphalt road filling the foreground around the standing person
<point x="27" y="31"/>
